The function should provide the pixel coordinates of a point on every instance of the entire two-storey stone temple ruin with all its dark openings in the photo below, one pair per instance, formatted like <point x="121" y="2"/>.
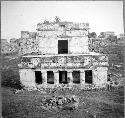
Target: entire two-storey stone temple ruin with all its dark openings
<point x="57" y="54"/>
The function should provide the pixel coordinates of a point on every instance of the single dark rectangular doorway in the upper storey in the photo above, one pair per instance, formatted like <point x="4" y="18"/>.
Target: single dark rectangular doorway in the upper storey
<point x="62" y="46"/>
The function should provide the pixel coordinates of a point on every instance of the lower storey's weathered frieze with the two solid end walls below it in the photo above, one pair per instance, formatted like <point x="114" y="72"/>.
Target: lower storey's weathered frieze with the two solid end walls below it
<point x="98" y="64"/>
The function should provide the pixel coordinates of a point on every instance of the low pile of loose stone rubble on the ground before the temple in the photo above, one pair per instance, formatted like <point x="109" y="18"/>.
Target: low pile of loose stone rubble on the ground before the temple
<point x="60" y="102"/>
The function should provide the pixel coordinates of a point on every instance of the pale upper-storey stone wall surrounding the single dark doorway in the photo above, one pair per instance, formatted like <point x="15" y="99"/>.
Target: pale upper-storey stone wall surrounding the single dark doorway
<point x="49" y="34"/>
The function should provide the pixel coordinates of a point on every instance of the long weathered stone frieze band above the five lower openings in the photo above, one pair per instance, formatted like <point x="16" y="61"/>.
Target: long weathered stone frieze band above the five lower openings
<point x="52" y="62"/>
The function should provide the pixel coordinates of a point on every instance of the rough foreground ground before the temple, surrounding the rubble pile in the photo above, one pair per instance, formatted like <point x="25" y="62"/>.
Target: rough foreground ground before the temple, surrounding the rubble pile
<point x="93" y="104"/>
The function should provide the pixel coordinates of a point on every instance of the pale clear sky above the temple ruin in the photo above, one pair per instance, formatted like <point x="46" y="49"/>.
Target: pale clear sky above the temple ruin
<point x="17" y="16"/>
